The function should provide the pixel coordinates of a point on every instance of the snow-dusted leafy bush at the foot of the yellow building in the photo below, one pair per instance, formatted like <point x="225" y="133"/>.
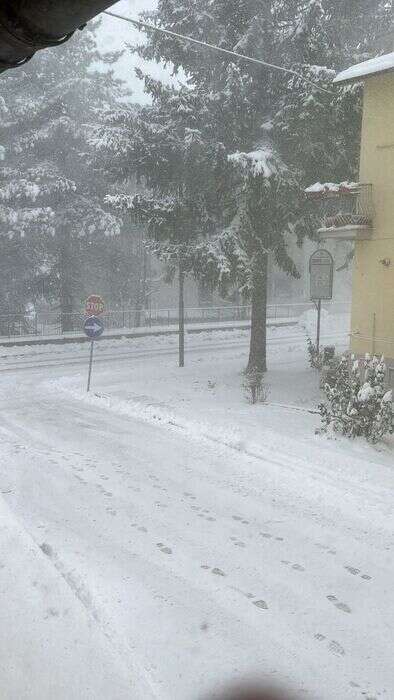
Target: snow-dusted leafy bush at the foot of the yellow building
<point x="355" y="407"/>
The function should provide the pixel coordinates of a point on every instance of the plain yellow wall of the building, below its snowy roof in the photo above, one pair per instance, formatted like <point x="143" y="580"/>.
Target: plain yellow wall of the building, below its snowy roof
<point x="373" y="282"/>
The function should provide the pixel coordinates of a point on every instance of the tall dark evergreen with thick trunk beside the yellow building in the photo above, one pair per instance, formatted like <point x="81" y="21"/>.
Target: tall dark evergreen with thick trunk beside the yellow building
<point x="250" y="112"/>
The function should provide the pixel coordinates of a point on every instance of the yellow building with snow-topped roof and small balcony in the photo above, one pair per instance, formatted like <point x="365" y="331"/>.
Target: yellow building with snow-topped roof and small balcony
<point x="366" y="214"/>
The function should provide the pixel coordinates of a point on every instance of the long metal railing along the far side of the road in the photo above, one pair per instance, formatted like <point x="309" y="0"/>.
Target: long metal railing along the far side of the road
<point x="48" y="324"/>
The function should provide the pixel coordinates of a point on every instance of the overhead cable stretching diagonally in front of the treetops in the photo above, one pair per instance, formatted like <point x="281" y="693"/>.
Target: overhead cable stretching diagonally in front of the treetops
<point x="145" y="25"/>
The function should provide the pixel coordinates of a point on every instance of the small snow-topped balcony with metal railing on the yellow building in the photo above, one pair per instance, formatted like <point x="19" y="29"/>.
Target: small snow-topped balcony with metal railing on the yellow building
<point x="344" y="211"/>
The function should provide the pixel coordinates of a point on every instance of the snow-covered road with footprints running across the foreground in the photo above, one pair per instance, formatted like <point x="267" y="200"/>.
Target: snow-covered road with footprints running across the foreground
<point x="197" y="562"/>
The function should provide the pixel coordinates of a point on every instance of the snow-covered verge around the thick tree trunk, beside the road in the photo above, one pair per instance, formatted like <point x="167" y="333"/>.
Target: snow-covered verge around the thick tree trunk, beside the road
<point x="206" y="399"/>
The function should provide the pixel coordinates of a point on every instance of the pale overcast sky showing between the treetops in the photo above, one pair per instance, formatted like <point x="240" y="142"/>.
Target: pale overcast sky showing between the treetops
<point x="113" y="34"/>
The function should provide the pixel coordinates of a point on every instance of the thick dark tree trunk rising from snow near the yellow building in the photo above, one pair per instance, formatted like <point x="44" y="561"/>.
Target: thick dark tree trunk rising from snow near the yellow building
<point x="258" y="333"/>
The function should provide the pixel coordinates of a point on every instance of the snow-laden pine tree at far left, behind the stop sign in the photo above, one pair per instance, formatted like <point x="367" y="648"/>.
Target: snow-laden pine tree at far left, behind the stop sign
<point x="51" y="190"/>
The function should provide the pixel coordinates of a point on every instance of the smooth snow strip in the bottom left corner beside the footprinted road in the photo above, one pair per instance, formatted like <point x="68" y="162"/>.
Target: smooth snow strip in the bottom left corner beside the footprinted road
<point x="51" y="646"/>
